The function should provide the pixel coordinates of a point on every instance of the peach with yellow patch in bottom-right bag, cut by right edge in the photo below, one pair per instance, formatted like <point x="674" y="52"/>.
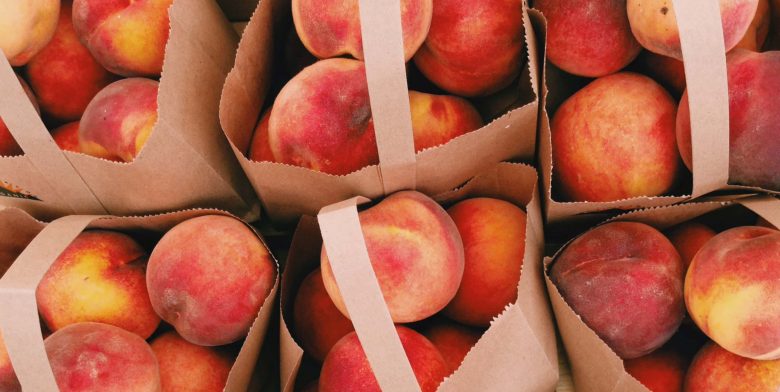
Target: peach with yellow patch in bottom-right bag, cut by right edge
<point x="731" y="291"/>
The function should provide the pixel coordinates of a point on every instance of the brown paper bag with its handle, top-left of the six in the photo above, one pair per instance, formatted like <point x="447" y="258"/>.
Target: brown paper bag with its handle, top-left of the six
<point x="185" y="163"/>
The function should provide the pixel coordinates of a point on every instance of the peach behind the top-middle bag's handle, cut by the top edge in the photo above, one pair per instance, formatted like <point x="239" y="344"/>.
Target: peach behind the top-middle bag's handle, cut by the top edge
<point x="331" y="28"/>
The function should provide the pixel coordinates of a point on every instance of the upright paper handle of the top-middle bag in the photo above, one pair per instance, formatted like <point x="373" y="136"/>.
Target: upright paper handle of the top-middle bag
<point x="380" y="23"/>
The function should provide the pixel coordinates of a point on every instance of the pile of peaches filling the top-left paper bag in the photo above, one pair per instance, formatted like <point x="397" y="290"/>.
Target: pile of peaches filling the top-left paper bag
<point x="93" y="67"/>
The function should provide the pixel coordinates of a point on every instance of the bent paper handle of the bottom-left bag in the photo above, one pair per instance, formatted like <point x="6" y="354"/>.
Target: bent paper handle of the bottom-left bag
<point x="19" y="317"/>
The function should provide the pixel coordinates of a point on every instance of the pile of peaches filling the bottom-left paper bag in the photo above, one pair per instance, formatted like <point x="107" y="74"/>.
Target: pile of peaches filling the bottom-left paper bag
<point x="104" y="297"/>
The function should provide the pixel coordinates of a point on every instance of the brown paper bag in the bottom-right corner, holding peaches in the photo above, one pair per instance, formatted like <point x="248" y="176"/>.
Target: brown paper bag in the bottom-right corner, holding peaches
<point x="594" y="366"/>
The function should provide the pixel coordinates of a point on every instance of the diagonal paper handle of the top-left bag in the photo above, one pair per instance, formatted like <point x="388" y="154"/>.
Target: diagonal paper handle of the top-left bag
<point x="31" y="134"/>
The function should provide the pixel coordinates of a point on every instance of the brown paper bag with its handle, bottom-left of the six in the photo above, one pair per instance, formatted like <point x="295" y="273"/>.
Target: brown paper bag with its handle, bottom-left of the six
<point x="20" y="321"/>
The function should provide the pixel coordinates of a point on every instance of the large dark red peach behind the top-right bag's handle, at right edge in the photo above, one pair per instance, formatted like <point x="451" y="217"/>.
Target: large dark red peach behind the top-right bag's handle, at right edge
<point x="754" y="120"/>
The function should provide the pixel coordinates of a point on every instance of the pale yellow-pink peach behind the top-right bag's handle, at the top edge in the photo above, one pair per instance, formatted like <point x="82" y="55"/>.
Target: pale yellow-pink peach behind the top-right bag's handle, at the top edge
<point x="654" y="24"/>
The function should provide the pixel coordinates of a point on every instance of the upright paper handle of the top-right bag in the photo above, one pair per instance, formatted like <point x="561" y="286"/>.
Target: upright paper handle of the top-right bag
<point x="701" y="38"/>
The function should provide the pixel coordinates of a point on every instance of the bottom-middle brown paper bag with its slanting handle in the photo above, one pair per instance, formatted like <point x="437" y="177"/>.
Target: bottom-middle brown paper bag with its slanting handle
<point x="518" y="351"/>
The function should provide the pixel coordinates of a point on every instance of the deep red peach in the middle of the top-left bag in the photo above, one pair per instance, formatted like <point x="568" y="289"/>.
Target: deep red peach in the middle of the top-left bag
<point x="64" y="74"/>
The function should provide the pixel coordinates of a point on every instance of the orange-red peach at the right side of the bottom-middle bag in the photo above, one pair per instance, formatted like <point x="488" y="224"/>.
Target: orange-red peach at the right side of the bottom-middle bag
<point x="493" y="234"/>
